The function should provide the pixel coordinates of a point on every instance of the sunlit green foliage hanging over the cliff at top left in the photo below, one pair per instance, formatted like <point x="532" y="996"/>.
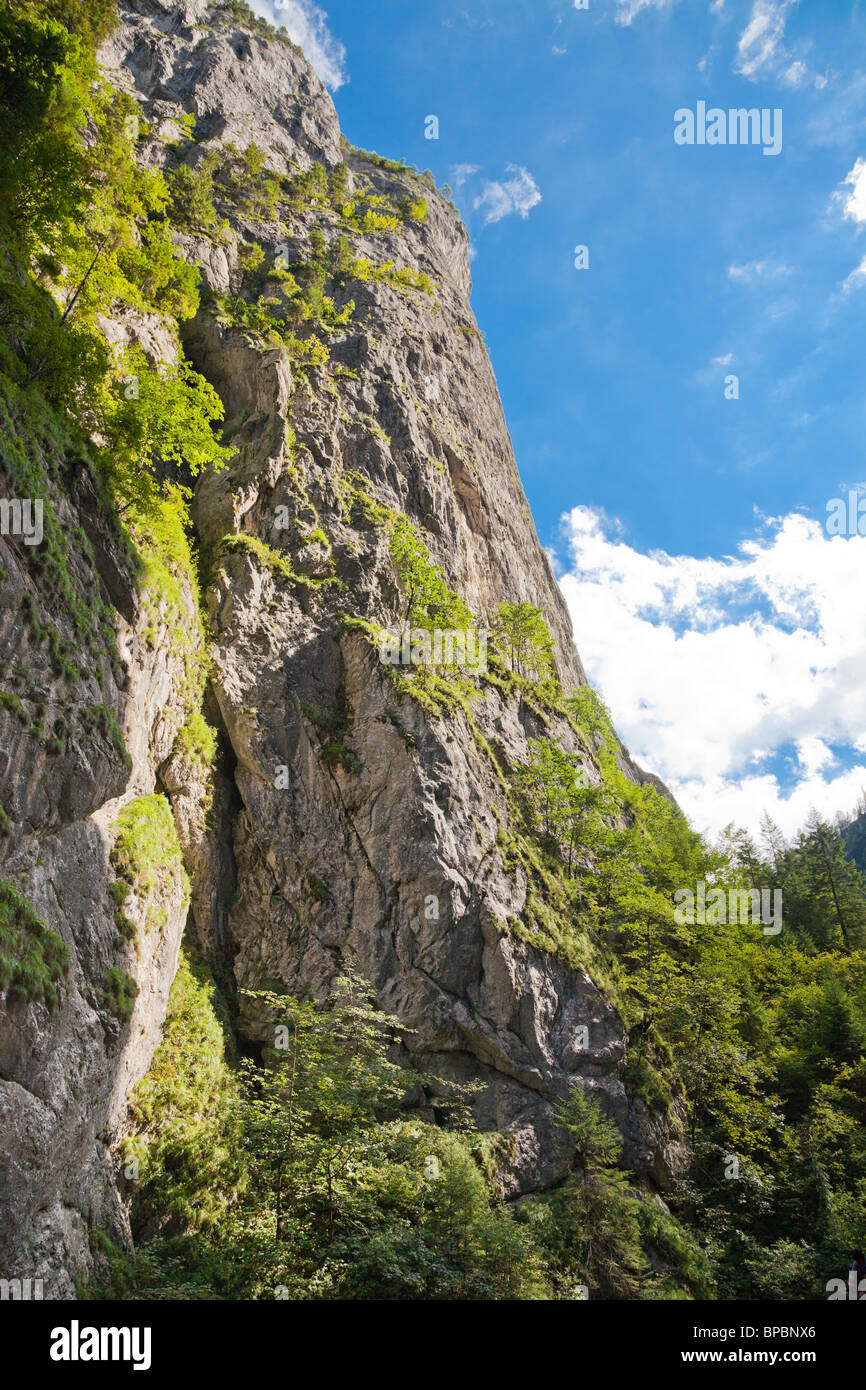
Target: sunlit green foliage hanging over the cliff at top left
<point x="87" y="234"/>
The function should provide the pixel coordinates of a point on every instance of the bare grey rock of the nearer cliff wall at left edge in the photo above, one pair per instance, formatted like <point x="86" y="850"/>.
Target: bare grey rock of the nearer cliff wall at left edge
<point x="66" y="1071"/>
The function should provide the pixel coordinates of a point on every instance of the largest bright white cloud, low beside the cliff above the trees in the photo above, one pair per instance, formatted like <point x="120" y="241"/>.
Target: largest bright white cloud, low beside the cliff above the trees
<point x="715" y="668"/>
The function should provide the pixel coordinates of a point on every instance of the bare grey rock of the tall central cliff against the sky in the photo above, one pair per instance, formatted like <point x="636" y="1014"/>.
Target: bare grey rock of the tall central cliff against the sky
<point x="386" y="856"/>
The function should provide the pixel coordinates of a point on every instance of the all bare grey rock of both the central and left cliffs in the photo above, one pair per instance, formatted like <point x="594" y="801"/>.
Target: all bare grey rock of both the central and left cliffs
<point x="351" y="826"/>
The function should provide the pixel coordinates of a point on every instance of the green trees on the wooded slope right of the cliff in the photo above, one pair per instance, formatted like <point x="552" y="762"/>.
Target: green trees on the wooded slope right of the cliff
<point x="758" y="1040"/>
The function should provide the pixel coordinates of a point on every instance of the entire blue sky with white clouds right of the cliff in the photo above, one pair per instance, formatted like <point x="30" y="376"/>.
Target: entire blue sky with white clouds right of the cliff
<point x="722" y="623"/>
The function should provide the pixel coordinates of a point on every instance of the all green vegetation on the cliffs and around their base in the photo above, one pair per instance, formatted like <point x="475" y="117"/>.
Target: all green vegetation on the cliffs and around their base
<point x="298" y="1174"/>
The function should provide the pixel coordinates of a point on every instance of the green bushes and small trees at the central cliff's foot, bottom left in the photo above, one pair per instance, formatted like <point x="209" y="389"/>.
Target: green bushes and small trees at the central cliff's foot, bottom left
<point x="302" y="1178"/>
